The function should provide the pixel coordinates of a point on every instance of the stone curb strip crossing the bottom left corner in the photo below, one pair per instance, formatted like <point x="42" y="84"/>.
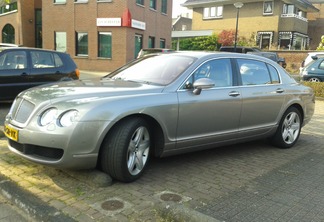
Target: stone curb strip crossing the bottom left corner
<point x="30" y="204"/>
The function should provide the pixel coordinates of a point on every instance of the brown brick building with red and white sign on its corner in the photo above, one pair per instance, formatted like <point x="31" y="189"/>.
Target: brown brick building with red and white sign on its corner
<point x="105" y="34"/>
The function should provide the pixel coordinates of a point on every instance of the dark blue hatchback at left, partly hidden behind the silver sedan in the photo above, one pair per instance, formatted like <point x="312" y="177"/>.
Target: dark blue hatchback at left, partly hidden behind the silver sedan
<point x="22" y="68"/>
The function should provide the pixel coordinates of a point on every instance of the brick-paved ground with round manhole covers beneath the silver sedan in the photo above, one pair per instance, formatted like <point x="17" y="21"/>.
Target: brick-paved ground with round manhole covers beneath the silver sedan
<point x="246" y="182"/>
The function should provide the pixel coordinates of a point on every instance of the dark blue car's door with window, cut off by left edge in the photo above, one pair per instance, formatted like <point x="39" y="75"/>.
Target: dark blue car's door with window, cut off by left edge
<point x="14" y="73"/>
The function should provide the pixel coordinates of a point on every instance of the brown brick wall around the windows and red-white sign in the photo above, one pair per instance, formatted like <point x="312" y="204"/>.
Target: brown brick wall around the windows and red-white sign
<point x="76" y="17"/>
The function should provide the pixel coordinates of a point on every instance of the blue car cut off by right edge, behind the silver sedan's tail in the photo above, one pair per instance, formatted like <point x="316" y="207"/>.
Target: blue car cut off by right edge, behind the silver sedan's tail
<point x="314" y="71"/>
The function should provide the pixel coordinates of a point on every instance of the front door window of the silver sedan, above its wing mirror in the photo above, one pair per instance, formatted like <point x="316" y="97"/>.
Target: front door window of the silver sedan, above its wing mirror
<point x="218" y="70"/>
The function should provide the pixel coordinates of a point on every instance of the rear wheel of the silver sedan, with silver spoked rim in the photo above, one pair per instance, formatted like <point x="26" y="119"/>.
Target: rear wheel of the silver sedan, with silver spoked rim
<point x="289" y="129"/>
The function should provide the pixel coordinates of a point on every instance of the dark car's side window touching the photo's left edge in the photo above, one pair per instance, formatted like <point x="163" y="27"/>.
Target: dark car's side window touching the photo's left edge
<point x="13" y="60"/>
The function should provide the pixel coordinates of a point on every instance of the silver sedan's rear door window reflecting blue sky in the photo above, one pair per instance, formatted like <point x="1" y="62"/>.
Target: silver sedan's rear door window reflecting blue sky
<point x="253" y="72"/>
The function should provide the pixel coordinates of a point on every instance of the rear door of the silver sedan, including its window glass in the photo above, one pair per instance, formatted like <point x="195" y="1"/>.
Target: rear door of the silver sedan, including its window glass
<point x="263" y="97"/>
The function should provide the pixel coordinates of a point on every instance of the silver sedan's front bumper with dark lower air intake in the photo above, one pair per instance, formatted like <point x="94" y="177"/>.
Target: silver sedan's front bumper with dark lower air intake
<point x="69" y="148"/>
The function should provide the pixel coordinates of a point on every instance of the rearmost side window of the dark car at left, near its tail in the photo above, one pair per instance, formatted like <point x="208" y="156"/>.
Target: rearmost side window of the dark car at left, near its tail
<point x="45" y="60"/>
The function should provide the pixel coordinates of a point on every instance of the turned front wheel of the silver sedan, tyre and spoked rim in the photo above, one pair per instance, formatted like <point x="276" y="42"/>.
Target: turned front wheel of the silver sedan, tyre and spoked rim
<point x="125" y="151"/>
